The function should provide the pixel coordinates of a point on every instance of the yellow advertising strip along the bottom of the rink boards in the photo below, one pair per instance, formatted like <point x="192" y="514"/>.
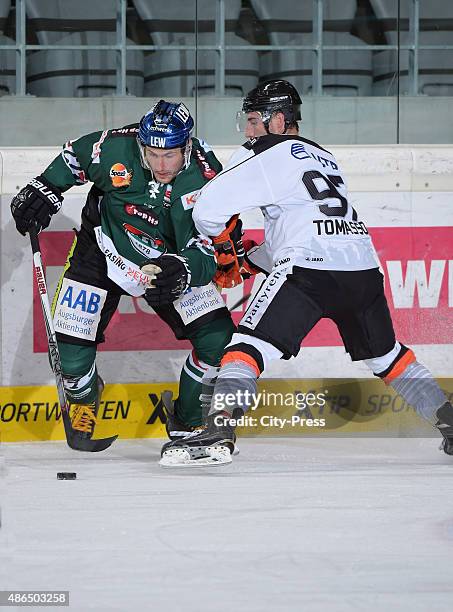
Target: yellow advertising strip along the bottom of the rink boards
<point x="291" y="407"/>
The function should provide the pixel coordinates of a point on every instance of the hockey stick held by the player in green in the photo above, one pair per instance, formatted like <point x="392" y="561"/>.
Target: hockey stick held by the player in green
<point x="73" y="437"/>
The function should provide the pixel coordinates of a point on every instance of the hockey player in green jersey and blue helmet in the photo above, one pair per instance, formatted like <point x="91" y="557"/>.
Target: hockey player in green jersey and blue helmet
<point x="137" y="237"/>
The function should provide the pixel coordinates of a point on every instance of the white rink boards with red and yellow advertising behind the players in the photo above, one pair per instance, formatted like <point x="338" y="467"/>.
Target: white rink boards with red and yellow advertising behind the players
<point x="403" y="193"/>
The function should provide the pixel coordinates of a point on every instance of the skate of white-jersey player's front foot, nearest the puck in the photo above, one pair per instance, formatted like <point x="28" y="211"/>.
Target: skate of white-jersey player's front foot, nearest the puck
<point x="212" y="445"/>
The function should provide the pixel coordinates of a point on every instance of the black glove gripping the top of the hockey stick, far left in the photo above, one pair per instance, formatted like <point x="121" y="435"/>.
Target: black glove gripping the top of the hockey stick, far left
<point x="35" y="204"/>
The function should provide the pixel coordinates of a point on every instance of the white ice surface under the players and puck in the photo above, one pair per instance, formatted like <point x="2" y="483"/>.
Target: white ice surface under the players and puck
<point x="311" y="525"/>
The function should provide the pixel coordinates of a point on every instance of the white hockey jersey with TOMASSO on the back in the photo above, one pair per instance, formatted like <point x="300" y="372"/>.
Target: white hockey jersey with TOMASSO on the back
<point x="302" y="194"/>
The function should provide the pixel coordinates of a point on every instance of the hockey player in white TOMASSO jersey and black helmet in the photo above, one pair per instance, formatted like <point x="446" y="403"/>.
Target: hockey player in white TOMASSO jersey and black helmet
<point x="322" y="264"/>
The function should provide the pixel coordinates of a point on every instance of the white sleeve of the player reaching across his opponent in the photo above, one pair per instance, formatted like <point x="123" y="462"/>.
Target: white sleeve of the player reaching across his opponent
<point x="239" y="188"/>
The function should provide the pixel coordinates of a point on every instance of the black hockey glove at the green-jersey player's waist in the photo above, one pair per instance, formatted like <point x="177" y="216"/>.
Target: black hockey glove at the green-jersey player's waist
<point x="169" y="280"/>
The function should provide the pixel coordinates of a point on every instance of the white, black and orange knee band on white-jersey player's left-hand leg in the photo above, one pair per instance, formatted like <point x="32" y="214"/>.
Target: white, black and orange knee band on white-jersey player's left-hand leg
<point x="254" y="352"/>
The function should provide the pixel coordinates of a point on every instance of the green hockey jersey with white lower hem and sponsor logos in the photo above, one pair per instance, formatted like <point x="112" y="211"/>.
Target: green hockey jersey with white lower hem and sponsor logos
<point x="138" y="218"/>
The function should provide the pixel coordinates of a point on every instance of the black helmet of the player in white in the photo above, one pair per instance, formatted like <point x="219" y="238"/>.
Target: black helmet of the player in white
<point x="272" y="96"/>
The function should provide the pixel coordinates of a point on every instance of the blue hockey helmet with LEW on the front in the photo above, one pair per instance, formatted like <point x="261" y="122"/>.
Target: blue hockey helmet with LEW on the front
<point x="167" y="125"/>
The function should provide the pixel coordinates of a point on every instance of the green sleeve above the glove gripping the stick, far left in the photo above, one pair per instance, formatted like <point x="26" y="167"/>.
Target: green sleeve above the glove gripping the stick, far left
<point x="73" y="165"/>
